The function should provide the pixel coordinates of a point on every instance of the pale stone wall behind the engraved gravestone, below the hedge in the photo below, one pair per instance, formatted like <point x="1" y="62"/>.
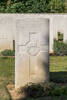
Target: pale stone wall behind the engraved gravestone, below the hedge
<point x="58" y="22"/>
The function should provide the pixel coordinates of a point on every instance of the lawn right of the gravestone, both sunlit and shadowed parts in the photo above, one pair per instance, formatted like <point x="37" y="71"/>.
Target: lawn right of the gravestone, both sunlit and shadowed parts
<point x="58" y="69"/>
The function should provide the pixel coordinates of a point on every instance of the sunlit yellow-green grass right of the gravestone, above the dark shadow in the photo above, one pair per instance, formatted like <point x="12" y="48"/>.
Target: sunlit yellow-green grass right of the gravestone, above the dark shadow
<point x="58" y="64"/>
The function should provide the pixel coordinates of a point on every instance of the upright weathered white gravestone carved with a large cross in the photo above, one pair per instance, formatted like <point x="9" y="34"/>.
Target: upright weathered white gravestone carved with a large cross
<point x="32" y="51"/>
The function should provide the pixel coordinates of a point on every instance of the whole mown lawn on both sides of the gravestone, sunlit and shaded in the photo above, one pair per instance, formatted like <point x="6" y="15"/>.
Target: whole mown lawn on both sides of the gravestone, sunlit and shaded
<point x="58" y="73"/>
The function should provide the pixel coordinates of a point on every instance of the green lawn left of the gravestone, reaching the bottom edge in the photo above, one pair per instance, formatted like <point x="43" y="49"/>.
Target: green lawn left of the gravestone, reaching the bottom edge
<point x="6" y="76"/>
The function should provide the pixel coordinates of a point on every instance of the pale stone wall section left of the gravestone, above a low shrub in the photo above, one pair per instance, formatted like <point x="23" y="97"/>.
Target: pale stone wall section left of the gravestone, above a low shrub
<point x="6" y="32"/>
